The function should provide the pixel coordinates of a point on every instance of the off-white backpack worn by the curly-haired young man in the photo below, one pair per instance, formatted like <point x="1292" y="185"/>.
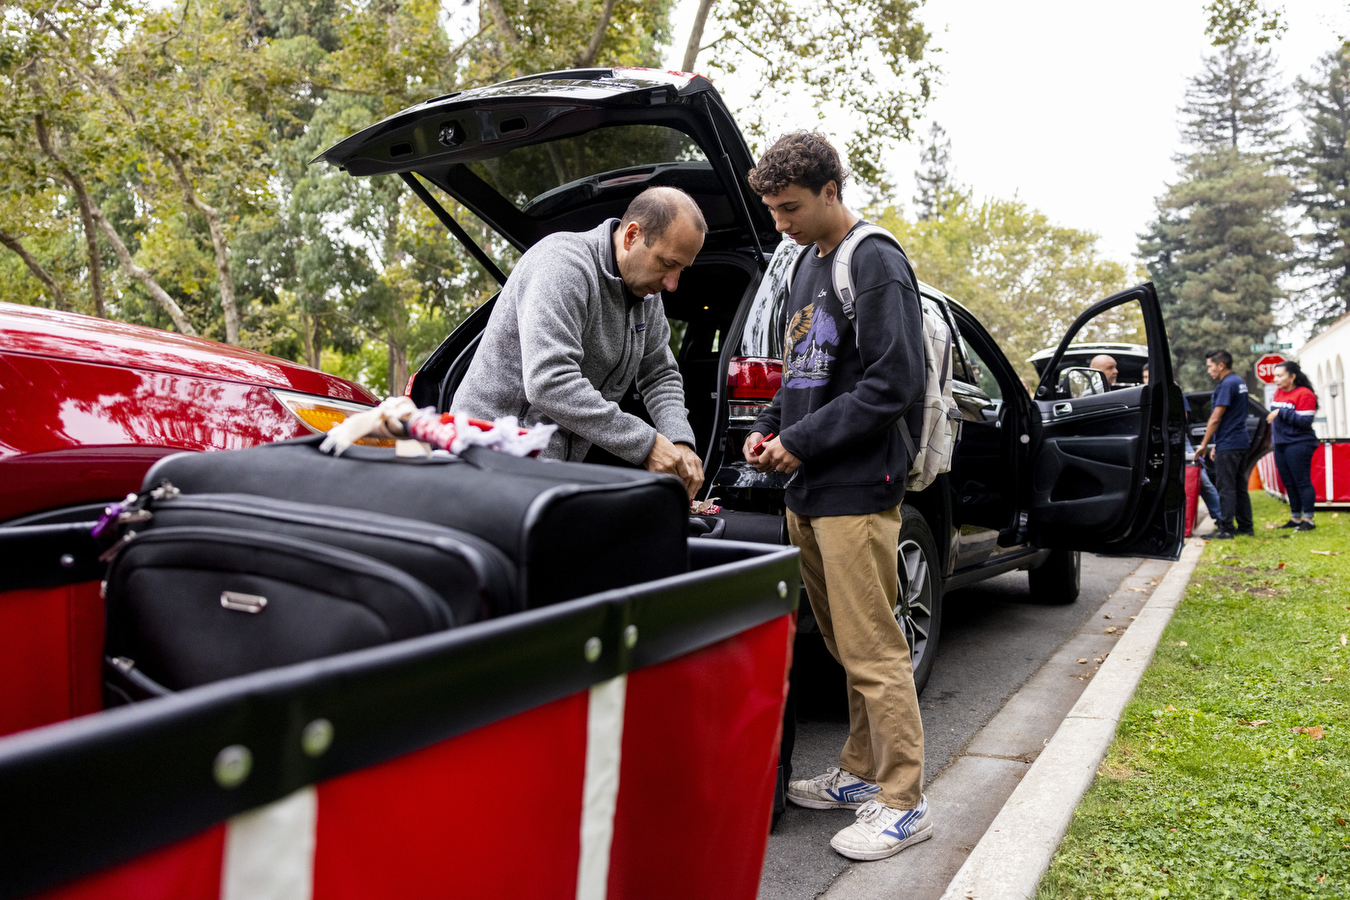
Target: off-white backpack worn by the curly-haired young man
<point x="942" y="422"/>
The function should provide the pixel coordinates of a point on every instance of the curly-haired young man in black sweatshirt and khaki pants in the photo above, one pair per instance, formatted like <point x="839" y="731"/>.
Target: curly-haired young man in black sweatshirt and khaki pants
<point x="850" y="387"/>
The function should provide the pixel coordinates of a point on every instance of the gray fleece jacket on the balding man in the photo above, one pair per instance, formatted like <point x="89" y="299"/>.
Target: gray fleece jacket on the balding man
<point x="566" y="341"/>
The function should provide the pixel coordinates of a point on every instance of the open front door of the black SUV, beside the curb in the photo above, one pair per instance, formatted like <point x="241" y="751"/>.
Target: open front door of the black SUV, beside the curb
<point x="1108" y="458"/>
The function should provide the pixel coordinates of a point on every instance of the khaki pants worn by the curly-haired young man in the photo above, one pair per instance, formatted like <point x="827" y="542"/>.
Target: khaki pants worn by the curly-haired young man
<point x="848" y="565"/>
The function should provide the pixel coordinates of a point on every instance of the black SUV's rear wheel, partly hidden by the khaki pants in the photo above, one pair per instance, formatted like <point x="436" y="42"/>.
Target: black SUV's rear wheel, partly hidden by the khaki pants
<point x="919" y="607"/>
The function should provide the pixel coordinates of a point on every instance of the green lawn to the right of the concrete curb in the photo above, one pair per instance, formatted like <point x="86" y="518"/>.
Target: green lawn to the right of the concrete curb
<point x="1208" y="793"/>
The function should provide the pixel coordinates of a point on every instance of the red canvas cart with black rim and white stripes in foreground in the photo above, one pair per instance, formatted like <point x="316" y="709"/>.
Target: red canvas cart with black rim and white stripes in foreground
<point x="577" y="751"/>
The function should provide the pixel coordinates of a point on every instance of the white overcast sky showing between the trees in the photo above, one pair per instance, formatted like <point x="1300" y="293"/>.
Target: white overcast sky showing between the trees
<point x="1071" y="106"/>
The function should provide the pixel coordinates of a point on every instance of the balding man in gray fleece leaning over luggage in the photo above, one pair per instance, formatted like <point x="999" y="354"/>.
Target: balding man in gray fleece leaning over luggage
<point x="580" y="319"/>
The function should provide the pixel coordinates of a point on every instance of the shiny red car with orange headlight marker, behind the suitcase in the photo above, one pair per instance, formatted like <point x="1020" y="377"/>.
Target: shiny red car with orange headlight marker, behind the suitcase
<point x="91" y="404"/>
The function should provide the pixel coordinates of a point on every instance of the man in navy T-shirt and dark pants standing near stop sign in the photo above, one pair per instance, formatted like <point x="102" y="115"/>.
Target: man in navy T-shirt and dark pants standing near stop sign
<point x="1228" y="428"/>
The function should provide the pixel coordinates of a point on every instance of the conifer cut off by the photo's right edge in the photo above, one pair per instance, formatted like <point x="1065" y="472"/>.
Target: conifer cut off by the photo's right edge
<point x="1325" y="164"/>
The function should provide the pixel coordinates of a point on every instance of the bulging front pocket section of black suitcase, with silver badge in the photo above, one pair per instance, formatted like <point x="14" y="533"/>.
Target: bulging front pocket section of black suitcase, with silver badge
<point x="192" y="605"/>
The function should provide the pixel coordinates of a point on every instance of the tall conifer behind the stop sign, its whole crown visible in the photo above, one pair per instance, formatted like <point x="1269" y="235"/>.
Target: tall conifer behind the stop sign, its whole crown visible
<point x="1221" y="244"/>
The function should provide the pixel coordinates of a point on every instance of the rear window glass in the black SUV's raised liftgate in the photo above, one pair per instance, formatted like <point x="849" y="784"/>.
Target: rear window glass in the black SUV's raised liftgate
<point x="541" y="176"/>
